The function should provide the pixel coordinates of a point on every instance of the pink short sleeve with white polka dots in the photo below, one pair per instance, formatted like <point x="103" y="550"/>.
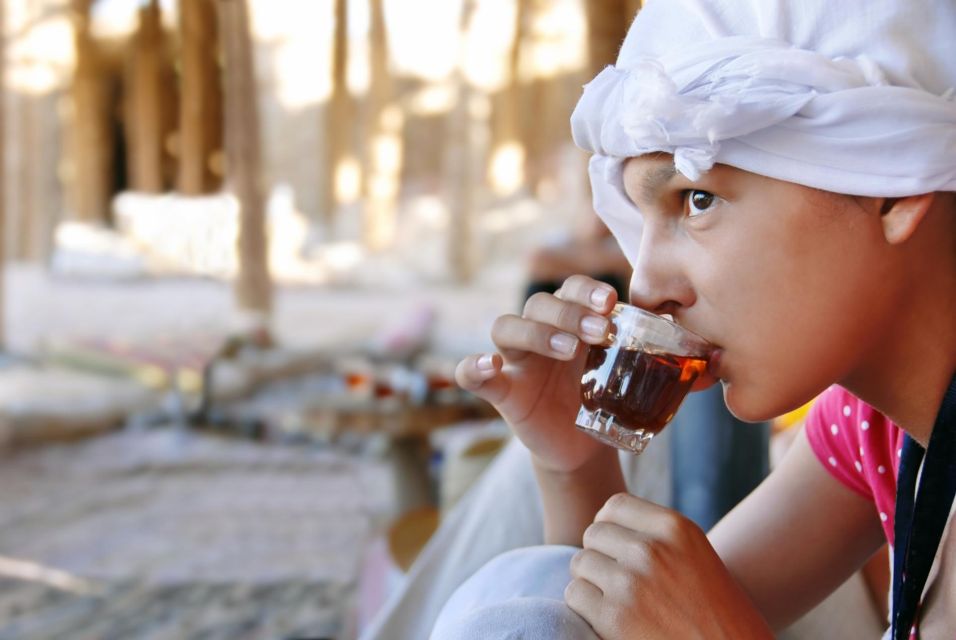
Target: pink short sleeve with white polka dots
<point x="858" y="446"/>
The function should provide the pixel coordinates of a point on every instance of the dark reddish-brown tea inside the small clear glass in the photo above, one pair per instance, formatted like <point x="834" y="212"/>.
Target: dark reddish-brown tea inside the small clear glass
<point x="641" y="389"/>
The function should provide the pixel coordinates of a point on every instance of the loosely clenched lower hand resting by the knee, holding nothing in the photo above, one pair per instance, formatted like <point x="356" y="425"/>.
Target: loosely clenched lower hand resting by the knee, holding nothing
<point x="648" y="572"/>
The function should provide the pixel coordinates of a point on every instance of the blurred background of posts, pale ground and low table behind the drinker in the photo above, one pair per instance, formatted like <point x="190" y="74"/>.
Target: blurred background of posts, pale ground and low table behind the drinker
<point x="244" y="244"/>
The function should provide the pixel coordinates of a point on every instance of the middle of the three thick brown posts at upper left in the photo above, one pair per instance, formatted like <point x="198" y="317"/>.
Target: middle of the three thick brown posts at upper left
<point x="144" y="113"/>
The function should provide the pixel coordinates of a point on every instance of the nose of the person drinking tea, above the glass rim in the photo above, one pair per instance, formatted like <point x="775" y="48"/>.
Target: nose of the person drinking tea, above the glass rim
<point x="659" y="282"/>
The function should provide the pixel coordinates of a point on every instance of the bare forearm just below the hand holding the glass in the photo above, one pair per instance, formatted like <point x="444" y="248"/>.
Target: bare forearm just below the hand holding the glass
<point x="572" y="499"/>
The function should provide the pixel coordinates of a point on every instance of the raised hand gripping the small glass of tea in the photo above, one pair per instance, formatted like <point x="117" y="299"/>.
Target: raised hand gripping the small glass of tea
<point x="535" y="380"/>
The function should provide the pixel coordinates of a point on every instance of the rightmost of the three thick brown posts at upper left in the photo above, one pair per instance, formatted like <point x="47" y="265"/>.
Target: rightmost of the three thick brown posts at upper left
<point x="200" y="106"/>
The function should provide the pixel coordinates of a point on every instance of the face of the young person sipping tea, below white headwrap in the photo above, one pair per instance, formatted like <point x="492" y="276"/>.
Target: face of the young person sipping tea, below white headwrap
<point x="795" y="285"/>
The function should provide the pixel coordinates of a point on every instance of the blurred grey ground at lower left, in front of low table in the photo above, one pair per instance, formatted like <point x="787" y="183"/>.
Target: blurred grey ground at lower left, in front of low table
<point x="170" y="535"/>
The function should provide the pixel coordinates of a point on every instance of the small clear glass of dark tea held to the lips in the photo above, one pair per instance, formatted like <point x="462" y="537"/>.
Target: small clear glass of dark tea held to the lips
<point x="633" y="383"/>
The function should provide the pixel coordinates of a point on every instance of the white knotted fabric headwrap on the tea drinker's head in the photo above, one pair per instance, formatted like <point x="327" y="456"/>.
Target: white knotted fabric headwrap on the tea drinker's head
<point x="853" y="97"/>
